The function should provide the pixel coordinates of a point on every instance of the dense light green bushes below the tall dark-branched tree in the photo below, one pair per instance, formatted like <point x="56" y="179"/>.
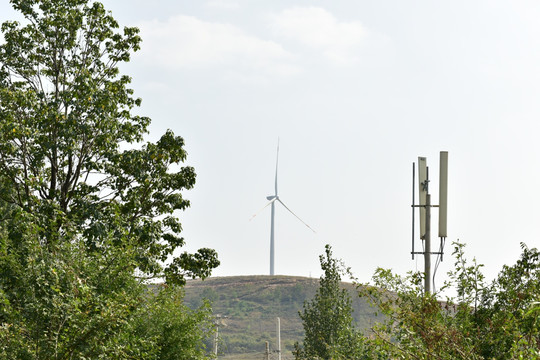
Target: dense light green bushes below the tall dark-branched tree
<point x="66" y="303"/>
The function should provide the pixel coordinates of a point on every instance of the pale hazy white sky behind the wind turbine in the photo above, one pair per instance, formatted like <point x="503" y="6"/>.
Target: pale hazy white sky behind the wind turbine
<point x="356" y="91"/>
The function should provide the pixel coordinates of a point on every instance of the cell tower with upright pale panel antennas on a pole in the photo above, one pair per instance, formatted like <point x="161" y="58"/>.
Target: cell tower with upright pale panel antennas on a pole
<point x="424" y="207"/>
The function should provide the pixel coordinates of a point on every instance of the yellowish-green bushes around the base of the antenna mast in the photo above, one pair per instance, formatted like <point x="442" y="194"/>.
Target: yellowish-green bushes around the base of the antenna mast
<point x="500" y="320"/>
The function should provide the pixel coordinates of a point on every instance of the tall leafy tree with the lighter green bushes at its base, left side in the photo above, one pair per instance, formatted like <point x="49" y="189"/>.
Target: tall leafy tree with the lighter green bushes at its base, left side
<point x="84" y="202"/>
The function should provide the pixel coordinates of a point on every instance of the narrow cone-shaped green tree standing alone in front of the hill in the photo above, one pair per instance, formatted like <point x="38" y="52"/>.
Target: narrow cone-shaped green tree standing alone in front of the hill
<point x="327" y="319"/>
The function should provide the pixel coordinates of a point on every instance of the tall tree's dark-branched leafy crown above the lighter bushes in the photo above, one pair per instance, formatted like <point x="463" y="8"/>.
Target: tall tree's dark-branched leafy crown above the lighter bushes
<point x="65" y="112"/>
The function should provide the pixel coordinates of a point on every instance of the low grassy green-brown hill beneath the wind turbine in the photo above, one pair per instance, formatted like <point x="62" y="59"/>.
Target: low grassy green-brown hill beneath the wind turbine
<point x="249" y="306"/>
